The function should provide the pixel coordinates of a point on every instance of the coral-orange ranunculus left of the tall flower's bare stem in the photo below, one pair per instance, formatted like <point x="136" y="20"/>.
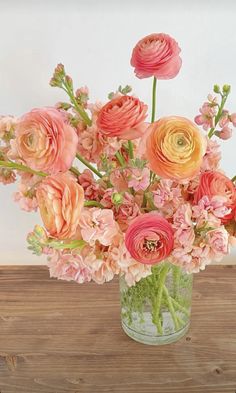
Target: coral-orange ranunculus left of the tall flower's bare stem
<point x="123" y="117"/>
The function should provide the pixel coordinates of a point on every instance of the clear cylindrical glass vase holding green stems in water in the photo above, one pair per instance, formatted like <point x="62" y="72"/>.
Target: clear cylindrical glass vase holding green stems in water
<point x="156" y="310"/>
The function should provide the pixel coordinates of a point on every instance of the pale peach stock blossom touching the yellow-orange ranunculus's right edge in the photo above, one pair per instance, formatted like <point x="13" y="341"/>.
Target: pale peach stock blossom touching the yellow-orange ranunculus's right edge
<point x="212" y="157"/>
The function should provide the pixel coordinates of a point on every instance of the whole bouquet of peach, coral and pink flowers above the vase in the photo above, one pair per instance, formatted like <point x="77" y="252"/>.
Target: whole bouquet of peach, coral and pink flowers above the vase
<point x="151" y="191"/>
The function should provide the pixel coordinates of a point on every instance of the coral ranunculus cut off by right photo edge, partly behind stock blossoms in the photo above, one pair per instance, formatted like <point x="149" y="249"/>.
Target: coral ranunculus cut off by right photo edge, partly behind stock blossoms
<point x="213" y="183"/>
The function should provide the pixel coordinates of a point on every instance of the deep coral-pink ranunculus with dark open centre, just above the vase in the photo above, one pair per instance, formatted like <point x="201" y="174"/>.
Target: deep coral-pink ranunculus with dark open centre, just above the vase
<point x="149" y="238"/>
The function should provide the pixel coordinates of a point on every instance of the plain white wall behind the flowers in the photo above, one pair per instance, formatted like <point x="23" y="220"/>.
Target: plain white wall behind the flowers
<point x="94" y="39"/>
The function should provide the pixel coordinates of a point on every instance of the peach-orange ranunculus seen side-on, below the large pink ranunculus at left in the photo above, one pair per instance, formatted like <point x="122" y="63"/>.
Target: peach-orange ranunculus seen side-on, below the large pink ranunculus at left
<point x="60" y="199"/>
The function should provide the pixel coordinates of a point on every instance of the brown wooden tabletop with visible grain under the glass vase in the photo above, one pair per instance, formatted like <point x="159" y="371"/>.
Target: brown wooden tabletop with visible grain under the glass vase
<point x="59" y="337"/>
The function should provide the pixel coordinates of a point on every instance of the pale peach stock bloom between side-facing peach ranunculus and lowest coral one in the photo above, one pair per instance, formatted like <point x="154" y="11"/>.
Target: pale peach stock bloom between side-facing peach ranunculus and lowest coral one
<point x="98" y="224"/>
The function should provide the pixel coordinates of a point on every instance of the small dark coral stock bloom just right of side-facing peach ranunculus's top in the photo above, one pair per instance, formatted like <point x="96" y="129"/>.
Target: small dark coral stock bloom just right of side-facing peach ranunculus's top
<point x="92" y="190"/>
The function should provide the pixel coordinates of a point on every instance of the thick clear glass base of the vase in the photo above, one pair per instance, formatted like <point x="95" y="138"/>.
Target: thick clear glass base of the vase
<point x="155" y="340"/>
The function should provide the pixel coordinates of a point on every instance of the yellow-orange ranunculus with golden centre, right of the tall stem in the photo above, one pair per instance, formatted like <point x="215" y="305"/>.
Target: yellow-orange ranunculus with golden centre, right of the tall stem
<point x="175" y="148"/>
